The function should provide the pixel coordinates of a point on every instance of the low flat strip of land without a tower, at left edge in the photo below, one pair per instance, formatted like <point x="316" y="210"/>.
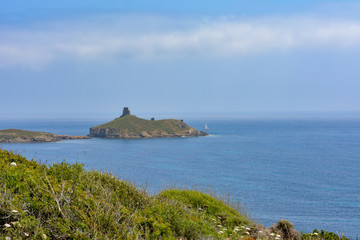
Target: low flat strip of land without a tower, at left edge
<point x="24" y="136"/>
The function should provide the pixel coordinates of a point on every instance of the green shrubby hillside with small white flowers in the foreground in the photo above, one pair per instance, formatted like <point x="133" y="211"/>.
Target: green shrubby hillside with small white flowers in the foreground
<point x="64" y="201"/>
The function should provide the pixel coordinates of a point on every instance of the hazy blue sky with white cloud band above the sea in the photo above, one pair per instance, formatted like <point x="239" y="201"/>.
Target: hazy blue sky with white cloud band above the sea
<point x="92" y="58"/>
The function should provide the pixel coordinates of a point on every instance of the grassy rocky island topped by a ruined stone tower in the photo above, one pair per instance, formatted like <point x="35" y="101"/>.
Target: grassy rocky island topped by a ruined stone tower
<point x="129" y="126"/>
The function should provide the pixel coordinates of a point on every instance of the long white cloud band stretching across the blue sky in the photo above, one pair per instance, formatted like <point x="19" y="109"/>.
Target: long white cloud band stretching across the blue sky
<point x="124" y="38"/>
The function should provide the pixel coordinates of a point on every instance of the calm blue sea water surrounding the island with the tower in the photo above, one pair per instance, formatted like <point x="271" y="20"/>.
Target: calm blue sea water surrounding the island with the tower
<point x="305" y="171"/>
